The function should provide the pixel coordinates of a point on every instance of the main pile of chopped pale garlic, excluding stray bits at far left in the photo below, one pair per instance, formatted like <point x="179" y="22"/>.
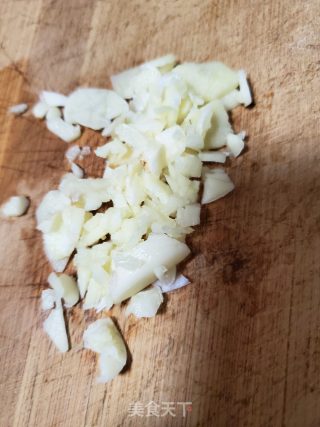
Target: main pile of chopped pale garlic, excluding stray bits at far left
<point x="162" y="121"/>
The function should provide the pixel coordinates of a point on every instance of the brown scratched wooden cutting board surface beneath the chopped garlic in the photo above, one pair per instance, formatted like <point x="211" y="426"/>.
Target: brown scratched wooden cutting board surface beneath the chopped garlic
<point x="242" y="343"/>
